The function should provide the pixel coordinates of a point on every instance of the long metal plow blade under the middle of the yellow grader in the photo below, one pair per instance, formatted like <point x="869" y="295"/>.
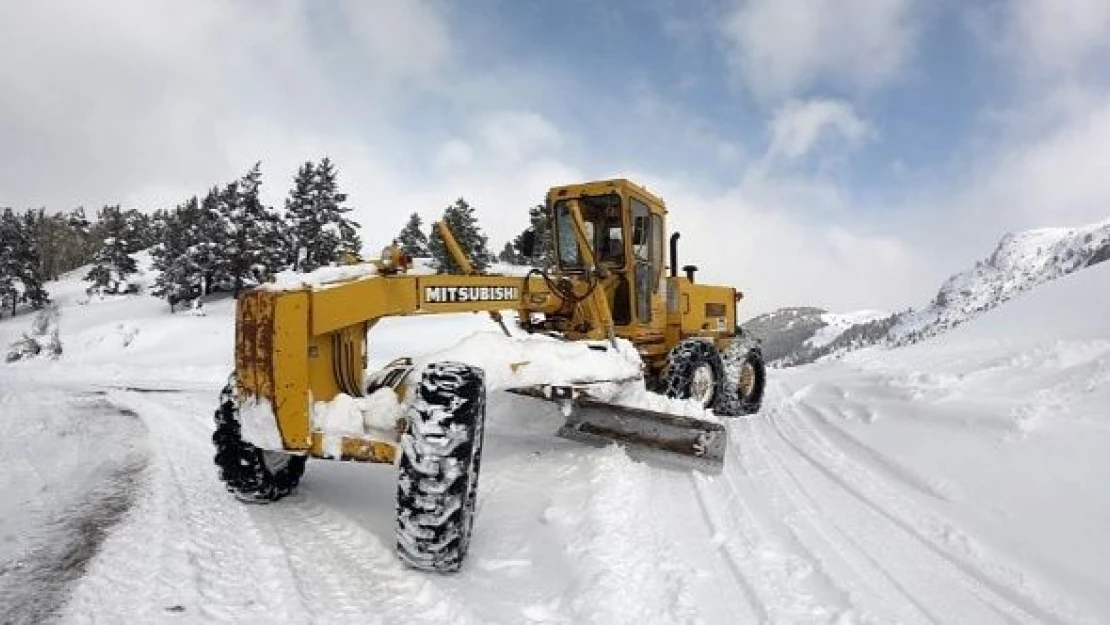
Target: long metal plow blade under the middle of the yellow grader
<point x="653" y="437"/>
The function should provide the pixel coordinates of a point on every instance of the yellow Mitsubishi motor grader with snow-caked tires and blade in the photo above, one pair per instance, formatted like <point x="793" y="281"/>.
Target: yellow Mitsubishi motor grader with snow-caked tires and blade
<point x="304" y="346"/>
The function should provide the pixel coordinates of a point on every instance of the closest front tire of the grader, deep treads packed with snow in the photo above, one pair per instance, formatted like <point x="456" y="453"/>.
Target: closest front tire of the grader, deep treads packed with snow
<point x="439" y="470"/>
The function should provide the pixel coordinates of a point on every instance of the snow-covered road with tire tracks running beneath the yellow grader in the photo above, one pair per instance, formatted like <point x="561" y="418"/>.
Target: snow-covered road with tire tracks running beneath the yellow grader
<point x="808" y="525"/>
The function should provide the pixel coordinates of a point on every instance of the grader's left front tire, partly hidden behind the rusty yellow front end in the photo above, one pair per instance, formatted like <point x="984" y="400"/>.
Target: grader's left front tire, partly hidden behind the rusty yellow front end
<point x="248" y="472"/>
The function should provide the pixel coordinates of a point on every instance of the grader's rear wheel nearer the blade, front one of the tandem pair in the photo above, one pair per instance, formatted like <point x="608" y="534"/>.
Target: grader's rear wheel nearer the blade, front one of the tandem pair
<point x="695" y="370"/>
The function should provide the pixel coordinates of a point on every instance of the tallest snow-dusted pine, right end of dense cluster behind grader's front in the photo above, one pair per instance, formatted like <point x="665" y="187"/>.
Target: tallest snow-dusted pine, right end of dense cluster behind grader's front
<point x="320" y="233"/>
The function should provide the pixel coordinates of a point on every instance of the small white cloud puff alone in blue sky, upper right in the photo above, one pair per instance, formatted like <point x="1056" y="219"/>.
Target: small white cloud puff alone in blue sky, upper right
<point x="798" y="127"/>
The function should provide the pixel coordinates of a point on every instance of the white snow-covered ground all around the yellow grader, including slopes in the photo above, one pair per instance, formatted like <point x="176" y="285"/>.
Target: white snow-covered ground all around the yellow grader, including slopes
<point x="963" y="480"/>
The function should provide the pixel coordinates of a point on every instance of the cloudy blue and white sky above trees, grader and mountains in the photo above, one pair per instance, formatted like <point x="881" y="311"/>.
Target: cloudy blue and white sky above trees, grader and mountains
<point x="846" y="154"/>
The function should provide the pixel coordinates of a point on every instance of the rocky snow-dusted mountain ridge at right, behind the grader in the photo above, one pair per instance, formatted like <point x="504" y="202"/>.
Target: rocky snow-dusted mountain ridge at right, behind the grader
<point x="1022" y="261"/>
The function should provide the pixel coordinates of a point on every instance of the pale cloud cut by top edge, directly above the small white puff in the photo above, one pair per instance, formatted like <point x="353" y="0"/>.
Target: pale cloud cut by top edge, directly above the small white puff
<point x="782" y="48"/>
